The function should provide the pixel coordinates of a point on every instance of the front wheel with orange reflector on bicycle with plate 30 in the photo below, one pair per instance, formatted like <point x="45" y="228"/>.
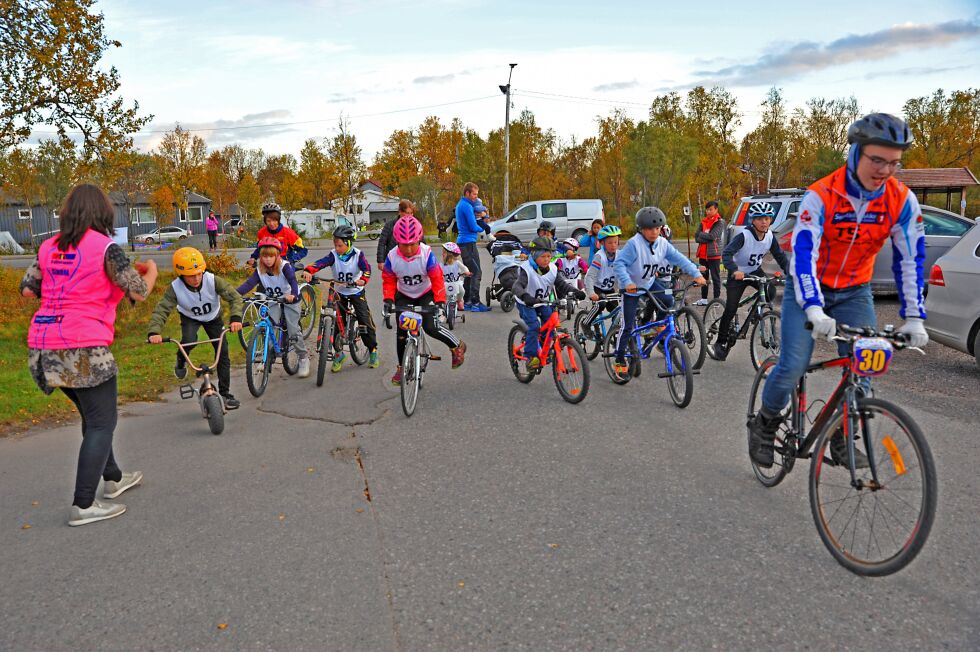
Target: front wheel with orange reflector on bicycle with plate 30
<point x="879" y="529"/>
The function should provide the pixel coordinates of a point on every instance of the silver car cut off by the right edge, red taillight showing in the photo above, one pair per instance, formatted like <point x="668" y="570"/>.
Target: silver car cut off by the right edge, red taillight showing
<point x="953" y="303"/>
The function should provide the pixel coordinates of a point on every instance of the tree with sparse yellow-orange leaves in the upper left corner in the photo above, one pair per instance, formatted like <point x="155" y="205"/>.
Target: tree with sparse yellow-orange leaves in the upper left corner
<point x="50" y="52"/>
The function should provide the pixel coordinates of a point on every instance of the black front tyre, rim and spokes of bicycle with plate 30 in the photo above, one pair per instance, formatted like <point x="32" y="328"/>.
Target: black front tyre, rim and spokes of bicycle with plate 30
<point x="893" y="457"/>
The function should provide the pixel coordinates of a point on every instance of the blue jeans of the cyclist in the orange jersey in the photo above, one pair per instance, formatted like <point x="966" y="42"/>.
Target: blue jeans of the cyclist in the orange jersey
<point x="852" y="306"/>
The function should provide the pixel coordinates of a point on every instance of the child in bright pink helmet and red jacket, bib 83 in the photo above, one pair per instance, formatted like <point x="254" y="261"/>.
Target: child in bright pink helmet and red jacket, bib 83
<point x="412" y="277"/>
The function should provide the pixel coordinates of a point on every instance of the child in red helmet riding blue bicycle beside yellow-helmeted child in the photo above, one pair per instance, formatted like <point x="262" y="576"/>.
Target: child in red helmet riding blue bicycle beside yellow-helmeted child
<point x="276" y="279"/>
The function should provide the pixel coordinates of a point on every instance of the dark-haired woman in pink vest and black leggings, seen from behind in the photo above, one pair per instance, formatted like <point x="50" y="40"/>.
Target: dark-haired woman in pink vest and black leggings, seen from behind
<point x="80" y="276"/>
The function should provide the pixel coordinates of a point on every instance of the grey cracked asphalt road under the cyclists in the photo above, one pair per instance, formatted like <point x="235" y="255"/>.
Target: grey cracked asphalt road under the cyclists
<point x="499" y="517"/>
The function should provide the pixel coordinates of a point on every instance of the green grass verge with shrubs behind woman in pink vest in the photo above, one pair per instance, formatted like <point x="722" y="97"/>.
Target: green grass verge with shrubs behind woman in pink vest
<point x="145" y="371"/>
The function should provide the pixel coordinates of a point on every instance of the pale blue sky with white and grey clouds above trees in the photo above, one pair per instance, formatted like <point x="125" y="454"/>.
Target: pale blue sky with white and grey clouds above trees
<point x="280" y="72"/>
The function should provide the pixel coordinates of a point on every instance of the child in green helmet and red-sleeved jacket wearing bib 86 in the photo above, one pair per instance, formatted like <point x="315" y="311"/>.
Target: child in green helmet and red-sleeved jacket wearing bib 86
<point x="350" y="267"/>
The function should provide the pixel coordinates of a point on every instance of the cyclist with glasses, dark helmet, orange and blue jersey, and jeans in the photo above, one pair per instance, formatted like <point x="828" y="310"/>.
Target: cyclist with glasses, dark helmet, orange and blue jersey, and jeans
<point x="843" y="222"/>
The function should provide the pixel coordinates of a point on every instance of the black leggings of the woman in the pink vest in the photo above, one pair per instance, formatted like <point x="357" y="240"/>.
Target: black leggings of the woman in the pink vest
<point x="97" y="406"/>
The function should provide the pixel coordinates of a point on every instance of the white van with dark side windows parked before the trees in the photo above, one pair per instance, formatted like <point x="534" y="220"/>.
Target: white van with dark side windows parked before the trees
<point x="571" y="217"/>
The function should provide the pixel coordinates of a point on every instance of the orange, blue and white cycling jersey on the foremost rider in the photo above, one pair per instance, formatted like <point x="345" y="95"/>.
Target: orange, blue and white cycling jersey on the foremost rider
<point x="838" y="236"/>
